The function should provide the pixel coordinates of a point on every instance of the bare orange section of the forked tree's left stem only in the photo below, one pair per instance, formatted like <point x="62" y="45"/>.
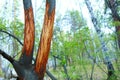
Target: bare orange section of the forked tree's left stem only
<point x="29" y="32"/>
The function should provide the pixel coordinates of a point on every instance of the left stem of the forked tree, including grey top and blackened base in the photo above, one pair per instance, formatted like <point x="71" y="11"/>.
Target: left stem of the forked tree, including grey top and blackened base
<point x="29" y="34"/>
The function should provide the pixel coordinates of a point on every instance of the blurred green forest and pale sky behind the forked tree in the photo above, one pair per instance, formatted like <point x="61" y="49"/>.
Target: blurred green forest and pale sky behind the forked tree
<point x="85" y="43"/>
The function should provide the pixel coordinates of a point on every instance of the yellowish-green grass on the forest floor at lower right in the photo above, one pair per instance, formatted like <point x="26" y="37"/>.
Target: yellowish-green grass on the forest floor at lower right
<point x="80" y="72"/>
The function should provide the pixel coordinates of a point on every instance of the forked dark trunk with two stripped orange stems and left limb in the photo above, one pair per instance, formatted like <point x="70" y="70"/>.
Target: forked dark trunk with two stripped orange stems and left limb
<point x="24" y="67"/>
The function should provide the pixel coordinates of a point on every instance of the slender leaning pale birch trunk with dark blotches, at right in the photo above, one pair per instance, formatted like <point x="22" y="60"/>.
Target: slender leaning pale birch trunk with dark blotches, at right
<point x="108" y="63"/>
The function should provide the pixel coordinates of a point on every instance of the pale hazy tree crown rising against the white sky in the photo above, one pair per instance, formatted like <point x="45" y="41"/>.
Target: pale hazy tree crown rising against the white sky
<point x="75" y="20"/>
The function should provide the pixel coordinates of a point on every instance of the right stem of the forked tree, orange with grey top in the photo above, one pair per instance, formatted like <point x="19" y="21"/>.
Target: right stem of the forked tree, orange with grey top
<point x="45" y="41"/>
